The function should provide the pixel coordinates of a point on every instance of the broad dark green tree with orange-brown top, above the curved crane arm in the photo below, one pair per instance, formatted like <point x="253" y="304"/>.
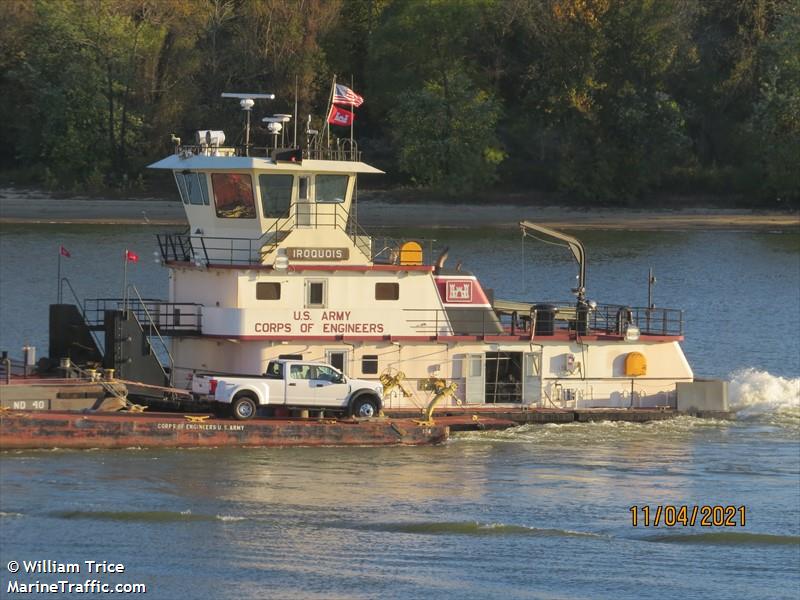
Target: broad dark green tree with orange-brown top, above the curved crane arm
<point x="595" y="76"/>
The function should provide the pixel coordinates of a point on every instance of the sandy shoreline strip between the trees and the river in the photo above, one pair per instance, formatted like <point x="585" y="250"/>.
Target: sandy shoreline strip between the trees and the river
<point x="34" y="207"/>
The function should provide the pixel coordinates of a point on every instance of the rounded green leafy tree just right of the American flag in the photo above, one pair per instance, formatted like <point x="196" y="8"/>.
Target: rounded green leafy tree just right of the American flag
<point x="442" y="119"/>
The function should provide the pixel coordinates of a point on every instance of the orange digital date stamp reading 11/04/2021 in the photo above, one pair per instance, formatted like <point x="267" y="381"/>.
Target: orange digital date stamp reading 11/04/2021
<point x="673" y="515"/>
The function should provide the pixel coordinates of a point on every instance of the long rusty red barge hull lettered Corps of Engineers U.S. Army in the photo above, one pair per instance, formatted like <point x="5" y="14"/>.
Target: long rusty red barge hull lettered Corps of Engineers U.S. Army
<point x="20" y="430"/>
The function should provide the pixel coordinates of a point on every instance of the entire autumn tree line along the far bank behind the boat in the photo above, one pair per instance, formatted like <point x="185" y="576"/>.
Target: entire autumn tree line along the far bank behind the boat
<point x="598" y="100"/>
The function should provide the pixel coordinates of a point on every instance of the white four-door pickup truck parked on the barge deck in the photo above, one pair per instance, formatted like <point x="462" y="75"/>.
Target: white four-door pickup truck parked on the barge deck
<point x="294" y="384"/>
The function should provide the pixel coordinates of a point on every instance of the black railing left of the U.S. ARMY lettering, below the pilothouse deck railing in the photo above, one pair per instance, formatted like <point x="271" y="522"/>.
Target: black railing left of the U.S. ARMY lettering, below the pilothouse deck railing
<point x="168" y="318"/>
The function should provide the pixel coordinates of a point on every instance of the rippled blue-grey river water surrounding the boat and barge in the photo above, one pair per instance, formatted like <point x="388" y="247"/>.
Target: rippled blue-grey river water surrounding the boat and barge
<point x="533" y="512"/>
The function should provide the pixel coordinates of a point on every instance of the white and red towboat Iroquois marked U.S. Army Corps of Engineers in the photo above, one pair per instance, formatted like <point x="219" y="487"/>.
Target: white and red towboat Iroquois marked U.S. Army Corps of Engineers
<point x="274" y="265"/>
